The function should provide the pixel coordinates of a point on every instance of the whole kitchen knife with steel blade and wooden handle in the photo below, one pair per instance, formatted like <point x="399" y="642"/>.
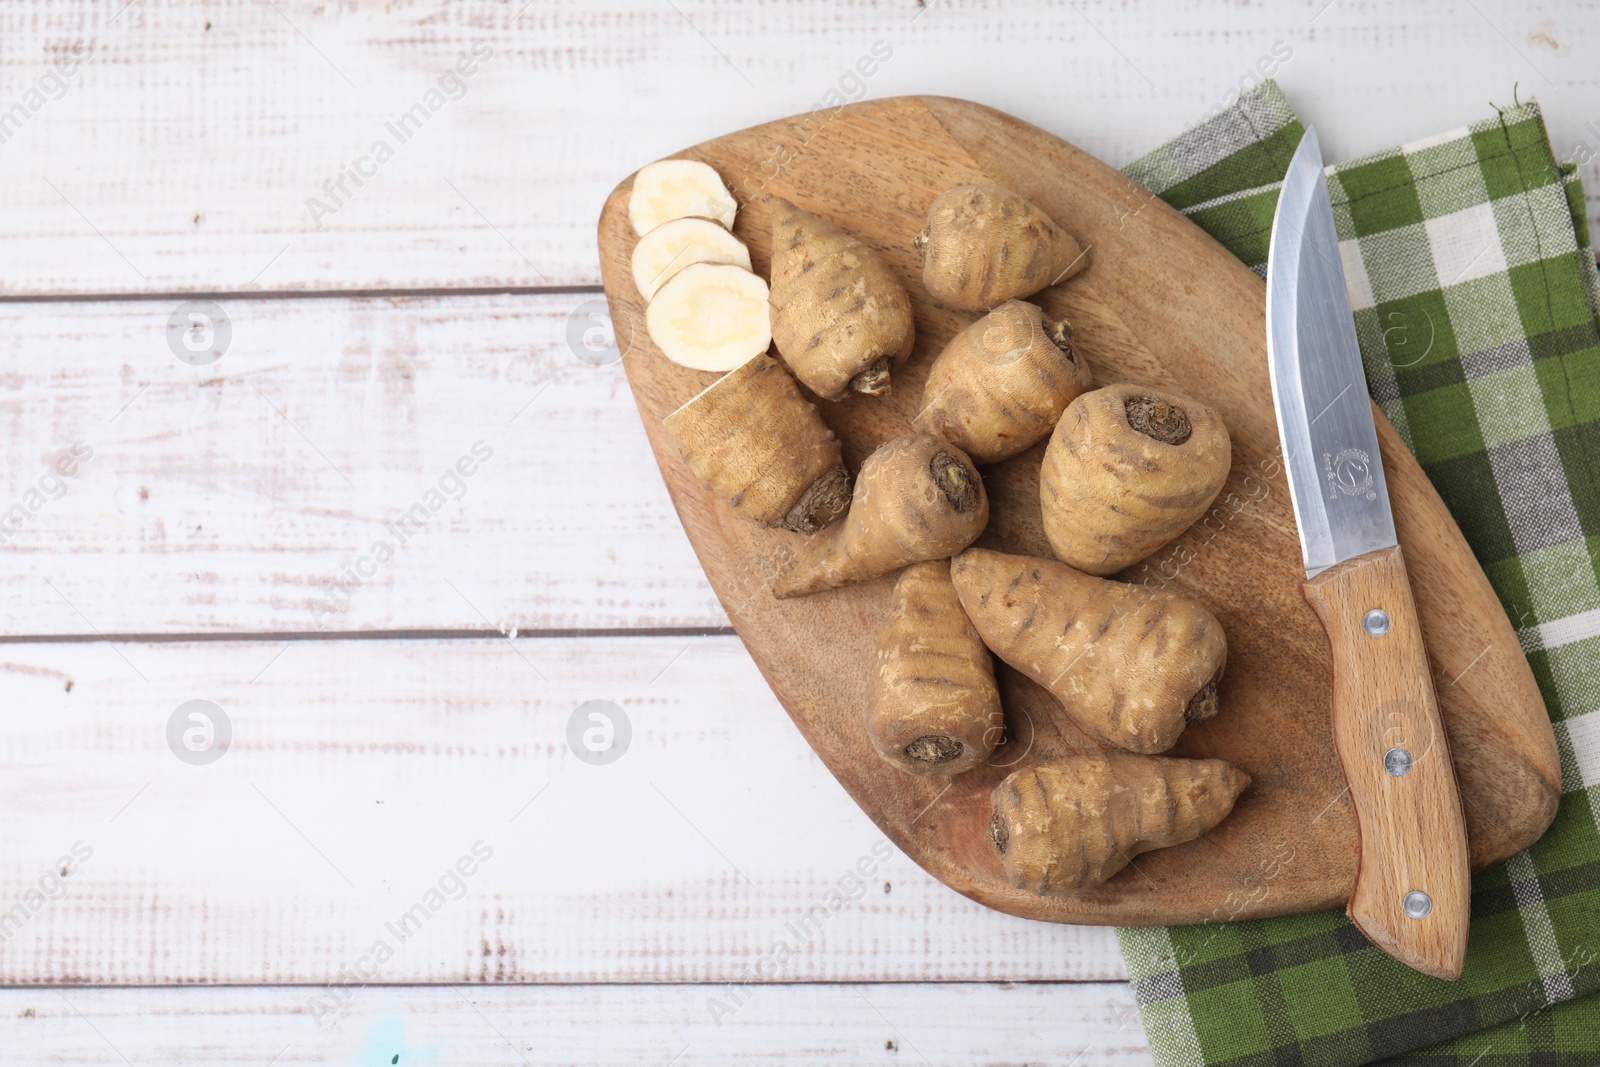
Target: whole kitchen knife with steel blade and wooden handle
<point x="1412" y="884"/>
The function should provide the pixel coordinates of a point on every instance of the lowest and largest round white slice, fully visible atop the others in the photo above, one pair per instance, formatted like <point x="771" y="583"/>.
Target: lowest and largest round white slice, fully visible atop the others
<point x="711" y="318"/>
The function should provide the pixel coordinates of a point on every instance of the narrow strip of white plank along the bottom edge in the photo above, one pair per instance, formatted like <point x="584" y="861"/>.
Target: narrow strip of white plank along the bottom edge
<point x="991" y="1026"/>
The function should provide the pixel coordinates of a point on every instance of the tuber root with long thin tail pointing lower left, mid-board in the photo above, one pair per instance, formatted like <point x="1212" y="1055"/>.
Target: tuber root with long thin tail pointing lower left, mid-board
<point x="918" y="498"/>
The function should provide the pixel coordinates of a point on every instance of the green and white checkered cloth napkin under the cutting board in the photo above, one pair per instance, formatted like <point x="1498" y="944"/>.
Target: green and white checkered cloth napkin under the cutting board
<point x="1476" y="297"/>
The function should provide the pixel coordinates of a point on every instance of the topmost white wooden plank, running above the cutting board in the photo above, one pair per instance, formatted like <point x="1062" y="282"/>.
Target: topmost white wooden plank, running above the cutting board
<point x="186" y="145"/>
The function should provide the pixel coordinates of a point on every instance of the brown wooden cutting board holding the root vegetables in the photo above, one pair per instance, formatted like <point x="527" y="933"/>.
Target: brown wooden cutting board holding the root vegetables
<point x="1161" y="303"/>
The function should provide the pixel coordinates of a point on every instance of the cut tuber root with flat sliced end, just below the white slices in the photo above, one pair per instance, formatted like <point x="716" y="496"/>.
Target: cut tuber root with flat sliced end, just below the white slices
<point x="759" y="444"/>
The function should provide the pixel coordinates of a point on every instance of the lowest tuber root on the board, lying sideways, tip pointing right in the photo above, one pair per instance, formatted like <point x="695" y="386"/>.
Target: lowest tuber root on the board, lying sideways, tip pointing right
<point x="1070" y="825"/>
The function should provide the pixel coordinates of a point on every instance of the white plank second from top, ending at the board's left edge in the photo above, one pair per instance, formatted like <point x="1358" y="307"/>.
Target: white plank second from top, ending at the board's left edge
<point x="246" y="495"/>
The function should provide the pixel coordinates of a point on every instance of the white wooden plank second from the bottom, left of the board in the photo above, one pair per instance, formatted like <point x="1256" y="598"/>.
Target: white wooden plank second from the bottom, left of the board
<point x="326" y="841"/>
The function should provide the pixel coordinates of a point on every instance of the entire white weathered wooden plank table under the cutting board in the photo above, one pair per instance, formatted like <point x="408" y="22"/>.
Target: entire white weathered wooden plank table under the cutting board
<point x="399" y="855"/>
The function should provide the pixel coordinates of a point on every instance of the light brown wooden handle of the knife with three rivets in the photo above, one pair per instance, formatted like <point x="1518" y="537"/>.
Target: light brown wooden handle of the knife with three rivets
<point x="1396" y="761"/>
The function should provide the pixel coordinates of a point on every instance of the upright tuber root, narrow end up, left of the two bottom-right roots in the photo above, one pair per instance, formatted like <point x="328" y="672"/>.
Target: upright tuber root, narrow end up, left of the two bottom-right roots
<point x="934" y="708"/>
